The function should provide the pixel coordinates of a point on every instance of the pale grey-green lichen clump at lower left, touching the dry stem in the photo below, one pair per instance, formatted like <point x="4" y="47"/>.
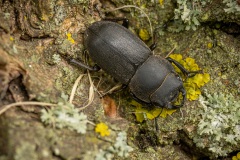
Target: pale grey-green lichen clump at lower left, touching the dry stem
<point x="65" y="116"/>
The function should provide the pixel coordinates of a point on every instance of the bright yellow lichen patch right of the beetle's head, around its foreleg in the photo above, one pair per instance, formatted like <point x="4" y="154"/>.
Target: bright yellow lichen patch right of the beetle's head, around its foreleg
<point x="193" y="84"/>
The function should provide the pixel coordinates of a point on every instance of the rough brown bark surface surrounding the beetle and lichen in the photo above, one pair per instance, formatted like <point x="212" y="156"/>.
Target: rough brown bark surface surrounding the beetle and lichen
<point x="36" y="36"/>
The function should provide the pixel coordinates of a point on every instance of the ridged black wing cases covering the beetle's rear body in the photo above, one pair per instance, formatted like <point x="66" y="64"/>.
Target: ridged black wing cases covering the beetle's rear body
<point x="115" y="49"/>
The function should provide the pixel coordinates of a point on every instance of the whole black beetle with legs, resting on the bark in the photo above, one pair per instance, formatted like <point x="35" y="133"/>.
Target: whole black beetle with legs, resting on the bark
<point x="129" y="60"/>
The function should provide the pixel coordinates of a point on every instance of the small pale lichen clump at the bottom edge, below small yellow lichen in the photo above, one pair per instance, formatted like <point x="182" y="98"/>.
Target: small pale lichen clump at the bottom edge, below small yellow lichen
<point x="119" y="148"/>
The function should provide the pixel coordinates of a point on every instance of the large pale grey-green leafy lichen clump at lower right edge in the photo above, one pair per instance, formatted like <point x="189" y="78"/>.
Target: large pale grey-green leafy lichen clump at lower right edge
<point x="219" y="127"/>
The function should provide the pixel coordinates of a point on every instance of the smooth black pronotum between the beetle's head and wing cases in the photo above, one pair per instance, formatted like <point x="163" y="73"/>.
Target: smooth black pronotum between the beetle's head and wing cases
<point x="149" y="77"/>
